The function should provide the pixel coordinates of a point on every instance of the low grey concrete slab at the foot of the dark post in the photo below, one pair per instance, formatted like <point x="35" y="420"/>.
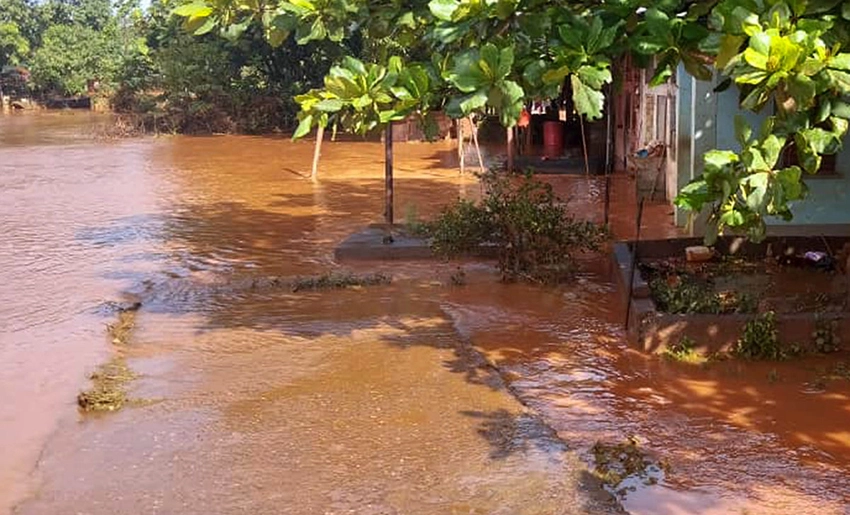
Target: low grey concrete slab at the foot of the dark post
<point x="373" y="244"/>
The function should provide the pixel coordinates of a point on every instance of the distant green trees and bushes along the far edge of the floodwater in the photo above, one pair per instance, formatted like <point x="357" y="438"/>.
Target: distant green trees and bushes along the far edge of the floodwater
<point x="144" y="64"/>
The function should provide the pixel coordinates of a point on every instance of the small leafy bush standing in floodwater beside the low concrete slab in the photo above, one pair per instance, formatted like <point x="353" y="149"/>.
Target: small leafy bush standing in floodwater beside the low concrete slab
<point x="526" y="223"/>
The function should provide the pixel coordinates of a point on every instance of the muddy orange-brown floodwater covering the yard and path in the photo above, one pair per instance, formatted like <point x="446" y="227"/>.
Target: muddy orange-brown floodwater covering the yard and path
<point x="379" y="400"/>
